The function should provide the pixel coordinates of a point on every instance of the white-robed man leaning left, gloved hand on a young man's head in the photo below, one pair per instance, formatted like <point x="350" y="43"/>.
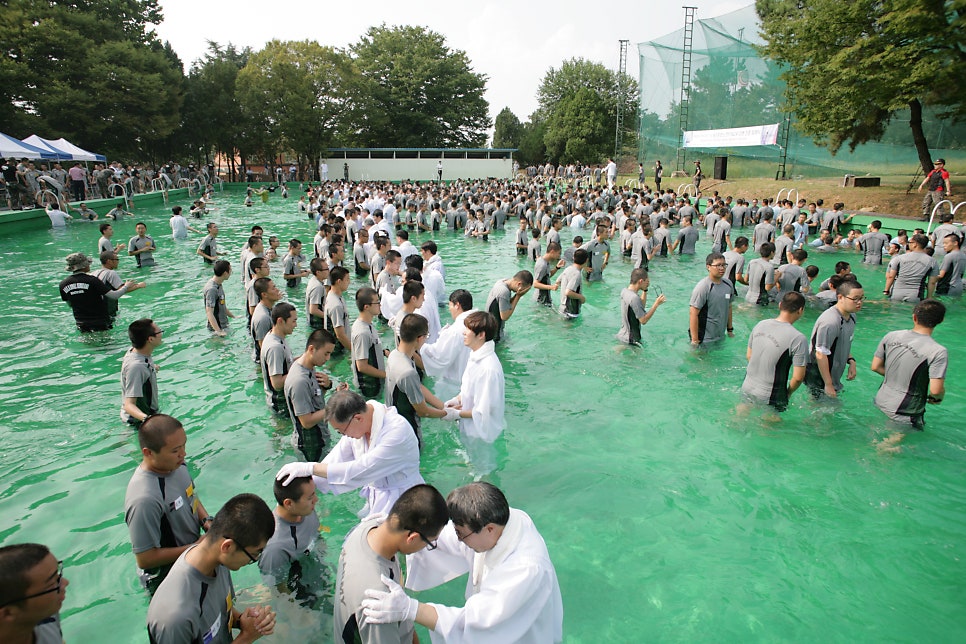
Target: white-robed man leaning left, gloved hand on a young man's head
<point x="378" y="454"/>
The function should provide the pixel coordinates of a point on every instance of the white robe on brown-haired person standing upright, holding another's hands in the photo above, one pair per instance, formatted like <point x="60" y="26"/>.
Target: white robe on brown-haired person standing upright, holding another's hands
<point x="482" y="390"/>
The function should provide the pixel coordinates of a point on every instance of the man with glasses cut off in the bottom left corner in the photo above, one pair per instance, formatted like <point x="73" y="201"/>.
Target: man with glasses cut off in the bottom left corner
<point x="32" y="590"/>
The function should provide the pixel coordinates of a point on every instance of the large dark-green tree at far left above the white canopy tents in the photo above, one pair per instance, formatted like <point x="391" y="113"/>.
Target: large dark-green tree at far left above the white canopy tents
<point x="91" y="71"/>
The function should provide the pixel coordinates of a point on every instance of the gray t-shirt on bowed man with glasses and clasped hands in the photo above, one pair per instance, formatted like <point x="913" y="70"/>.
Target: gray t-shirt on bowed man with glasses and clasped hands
<point x="190" y="606"/>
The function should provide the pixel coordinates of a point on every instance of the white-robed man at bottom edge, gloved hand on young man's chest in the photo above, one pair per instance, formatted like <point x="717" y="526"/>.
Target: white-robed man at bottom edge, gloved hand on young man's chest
<point x="512" y="593"/>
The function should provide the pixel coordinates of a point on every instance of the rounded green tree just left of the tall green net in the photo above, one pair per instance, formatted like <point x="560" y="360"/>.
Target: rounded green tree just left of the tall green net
<point x="592" y="131"/>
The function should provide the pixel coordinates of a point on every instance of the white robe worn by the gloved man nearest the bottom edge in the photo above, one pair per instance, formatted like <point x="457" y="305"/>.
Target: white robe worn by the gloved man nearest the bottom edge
<point x="512" y="594"/>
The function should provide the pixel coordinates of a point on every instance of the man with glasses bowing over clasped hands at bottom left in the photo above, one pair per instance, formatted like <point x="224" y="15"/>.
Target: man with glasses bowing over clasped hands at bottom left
<point x="196" y="602"/>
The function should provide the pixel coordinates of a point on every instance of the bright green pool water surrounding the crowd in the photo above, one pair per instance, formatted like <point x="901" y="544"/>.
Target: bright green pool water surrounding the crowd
<point x="667" y="517"/>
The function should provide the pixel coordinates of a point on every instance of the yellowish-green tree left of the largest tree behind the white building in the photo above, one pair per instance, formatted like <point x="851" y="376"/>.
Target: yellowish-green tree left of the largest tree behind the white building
<point x="299" y="92"/>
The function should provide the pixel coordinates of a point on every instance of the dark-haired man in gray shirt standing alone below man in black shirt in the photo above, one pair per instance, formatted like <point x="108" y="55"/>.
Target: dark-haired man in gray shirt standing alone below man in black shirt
<point x="139" y="374"/>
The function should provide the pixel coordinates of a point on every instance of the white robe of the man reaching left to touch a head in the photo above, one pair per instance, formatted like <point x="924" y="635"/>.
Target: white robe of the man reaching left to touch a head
<point x="383" y="467"/>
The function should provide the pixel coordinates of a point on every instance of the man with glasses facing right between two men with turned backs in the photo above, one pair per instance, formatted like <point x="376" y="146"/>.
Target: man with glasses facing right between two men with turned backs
<point x="830" y="346"/>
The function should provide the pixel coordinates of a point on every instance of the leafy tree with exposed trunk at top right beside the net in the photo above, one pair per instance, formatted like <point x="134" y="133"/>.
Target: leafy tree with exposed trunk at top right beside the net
<point x="851" y="66"/>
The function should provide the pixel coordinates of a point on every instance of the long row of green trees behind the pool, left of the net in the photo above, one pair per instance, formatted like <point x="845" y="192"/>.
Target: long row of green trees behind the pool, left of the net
<point x="95" y="72"/>
